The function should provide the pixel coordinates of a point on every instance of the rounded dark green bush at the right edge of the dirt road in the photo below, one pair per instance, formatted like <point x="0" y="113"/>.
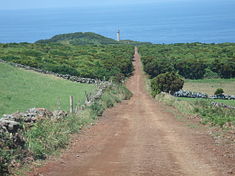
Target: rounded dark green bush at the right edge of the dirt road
<point x="169" y="82"/>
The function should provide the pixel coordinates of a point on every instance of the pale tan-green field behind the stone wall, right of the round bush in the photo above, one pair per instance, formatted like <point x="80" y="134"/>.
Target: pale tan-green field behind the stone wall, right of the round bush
<point x="209" y="86"/>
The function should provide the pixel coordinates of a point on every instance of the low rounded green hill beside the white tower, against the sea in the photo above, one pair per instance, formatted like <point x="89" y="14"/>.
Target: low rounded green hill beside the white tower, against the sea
<point x="80" y="38"/>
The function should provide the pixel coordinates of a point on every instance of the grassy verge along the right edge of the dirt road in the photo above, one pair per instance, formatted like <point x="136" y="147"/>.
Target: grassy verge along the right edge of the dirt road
<point x="214" y="116"/>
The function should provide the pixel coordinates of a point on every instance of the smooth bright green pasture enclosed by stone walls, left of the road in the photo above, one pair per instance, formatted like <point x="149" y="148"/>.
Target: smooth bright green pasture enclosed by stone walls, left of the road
<point x="21" y="89"/>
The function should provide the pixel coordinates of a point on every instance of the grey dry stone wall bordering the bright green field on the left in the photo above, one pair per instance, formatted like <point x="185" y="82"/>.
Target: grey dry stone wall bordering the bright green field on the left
<point x="11" y="122"/>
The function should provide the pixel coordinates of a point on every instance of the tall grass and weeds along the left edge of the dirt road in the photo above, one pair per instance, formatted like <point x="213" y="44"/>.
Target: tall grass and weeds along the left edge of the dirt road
<point x="48" y="137"/>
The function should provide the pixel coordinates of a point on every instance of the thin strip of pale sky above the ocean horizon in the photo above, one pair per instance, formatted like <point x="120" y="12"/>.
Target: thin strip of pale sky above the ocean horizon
<point x="31" y="4"/>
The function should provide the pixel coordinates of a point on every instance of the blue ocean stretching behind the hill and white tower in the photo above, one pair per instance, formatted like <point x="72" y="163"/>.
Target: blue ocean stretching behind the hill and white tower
<point x="178" y="22"/>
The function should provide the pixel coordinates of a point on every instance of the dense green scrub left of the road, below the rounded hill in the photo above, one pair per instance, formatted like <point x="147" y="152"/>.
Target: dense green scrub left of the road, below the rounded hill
<point x="92" y="61"/>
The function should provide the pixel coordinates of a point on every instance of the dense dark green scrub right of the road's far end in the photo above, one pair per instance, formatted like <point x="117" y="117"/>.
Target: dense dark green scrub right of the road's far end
<point x="191" y="60"/>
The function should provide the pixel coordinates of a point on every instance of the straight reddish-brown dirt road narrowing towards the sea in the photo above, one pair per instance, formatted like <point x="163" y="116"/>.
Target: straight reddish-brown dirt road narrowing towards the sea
<point x="139" y="137"/>
